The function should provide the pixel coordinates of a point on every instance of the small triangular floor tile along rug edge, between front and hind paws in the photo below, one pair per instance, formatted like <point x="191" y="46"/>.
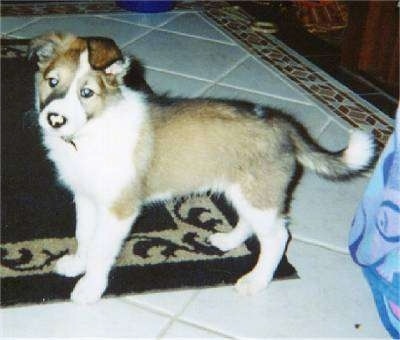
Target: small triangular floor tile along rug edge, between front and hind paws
<point x="171" y="302"/>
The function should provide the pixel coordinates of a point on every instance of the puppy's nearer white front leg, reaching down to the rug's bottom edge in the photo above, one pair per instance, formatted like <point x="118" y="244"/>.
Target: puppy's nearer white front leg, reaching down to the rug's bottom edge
<point x="108" y="238"/>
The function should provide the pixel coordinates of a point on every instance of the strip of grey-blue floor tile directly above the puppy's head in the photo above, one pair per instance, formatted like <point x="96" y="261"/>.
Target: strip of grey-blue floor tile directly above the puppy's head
<point x="85" y="26"/>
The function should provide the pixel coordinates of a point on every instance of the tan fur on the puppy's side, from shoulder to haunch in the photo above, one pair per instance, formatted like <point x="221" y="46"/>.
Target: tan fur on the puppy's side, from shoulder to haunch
<point x="202" y="143"/>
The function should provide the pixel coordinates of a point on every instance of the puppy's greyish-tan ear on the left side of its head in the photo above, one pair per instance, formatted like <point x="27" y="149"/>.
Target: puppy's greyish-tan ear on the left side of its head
<point x="44" y="47"/>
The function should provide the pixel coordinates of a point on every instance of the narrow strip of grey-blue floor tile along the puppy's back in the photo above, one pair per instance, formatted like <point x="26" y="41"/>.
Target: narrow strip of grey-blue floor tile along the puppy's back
<point x="311" y="116"/>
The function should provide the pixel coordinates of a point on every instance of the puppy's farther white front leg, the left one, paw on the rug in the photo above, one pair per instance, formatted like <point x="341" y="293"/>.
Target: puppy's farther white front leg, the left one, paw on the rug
<point x="74" y="265"/>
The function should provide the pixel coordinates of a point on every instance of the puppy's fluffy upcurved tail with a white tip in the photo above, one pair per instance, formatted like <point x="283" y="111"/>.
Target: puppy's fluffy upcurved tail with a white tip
<point x="357" y="157"/>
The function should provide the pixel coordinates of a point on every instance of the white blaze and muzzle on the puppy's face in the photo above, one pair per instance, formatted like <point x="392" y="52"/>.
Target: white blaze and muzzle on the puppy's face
<point x="70" y="106"/>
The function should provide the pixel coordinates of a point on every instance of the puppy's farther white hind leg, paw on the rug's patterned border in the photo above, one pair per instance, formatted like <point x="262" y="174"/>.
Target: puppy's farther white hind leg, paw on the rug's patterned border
<point x="232" y="239"/>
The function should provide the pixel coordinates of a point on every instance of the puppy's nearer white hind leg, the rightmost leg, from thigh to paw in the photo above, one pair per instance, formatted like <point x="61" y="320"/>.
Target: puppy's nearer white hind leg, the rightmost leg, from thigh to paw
<point x="270" y="229"/>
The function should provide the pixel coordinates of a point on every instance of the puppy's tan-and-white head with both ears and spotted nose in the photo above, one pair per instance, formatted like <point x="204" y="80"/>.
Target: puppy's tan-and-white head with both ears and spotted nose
<point x="76" y="79"/>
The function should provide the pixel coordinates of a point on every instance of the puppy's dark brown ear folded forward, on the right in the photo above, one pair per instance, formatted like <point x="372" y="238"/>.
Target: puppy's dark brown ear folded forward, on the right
<point x="103" y="52"/>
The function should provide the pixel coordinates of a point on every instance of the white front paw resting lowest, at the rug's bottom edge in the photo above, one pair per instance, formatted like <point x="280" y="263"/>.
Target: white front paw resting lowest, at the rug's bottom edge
<point x="88" y="290"/>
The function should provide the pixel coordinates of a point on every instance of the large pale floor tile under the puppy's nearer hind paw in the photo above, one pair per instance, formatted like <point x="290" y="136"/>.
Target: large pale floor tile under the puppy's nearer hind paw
<point x="330" y="299"/>
